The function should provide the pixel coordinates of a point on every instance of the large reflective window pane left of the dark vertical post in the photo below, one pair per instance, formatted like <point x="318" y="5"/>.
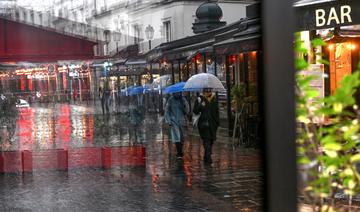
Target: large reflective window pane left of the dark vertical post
<point x="101" y="97"/>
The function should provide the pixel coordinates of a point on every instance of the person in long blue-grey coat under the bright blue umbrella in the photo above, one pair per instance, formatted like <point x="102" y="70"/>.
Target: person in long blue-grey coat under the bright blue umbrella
<point x="176" y="110"/>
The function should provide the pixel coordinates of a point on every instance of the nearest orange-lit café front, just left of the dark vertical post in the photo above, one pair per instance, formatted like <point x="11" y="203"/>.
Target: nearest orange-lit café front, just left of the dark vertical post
<point x="238" y="63"/>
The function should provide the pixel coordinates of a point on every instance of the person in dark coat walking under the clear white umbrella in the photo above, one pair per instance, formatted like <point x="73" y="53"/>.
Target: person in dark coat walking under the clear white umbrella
<point x="207" y="106"/>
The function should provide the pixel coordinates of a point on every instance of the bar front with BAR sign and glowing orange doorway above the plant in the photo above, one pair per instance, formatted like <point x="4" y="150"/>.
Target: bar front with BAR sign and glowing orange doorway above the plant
<point x="336" y="23"/>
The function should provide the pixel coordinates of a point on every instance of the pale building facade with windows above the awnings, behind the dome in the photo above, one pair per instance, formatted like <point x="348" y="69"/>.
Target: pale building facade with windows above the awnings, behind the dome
<point x="118" y="24"/>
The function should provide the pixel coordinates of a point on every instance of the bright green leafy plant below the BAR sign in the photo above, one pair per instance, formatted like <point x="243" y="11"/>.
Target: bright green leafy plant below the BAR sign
<point x="329" y="140"/>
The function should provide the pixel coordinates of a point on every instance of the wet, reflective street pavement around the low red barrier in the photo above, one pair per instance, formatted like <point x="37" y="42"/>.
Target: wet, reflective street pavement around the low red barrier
<point x="159" y="182"/>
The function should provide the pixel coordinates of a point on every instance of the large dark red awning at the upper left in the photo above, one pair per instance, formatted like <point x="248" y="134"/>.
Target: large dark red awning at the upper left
<point x="23" y="42"/>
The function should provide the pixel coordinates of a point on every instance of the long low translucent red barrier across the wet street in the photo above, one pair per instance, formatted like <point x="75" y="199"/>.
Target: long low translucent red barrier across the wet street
<point x="59" y="159"/>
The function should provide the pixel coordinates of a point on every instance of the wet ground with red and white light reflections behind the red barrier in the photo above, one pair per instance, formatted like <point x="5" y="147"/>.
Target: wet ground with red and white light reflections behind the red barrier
<point x="63" y="126"/>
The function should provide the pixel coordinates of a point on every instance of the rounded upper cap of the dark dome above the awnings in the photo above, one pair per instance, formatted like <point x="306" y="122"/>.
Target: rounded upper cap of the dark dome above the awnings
<point x="209" y="10"/>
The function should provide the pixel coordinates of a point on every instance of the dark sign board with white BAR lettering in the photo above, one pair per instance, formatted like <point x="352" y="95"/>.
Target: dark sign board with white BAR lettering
<point x="327" y="15"/>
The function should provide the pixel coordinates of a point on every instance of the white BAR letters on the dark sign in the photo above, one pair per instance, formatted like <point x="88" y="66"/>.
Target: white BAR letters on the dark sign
<point x="323" y="18"/>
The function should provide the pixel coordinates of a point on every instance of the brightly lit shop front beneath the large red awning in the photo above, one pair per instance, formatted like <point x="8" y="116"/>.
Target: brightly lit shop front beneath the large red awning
<point x="48" y="82"/>
